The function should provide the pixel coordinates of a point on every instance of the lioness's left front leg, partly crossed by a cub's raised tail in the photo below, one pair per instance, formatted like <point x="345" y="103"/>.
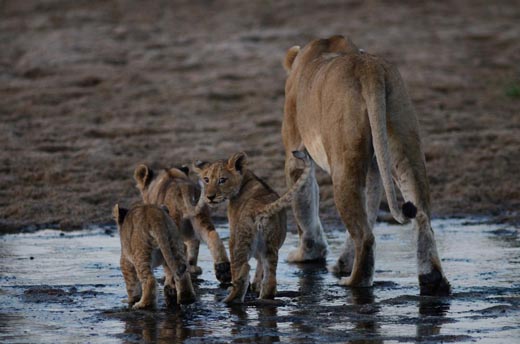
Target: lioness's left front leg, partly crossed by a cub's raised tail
<point x="312" y="244"/>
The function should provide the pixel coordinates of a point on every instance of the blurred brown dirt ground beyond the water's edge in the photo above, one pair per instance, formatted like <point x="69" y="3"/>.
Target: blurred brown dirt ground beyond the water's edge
<point x="89" y="89"/>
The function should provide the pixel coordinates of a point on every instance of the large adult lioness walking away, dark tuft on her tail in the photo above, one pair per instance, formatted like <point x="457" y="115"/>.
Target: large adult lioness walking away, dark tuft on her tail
<point x="352" y="113"/>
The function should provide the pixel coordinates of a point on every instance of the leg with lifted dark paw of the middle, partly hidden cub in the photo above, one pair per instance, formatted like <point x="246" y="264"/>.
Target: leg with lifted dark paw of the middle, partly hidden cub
<point x="209" y="235"/>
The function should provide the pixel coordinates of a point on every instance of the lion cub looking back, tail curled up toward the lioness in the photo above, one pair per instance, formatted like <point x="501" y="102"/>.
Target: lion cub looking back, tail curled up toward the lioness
<point x="256" y="217"/>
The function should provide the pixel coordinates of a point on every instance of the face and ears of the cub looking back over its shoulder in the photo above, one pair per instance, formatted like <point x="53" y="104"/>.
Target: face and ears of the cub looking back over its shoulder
<point x="221" y="179"/>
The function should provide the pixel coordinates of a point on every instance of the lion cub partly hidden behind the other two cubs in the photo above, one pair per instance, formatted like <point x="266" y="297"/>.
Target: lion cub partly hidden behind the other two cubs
<point x="176" y="190"/>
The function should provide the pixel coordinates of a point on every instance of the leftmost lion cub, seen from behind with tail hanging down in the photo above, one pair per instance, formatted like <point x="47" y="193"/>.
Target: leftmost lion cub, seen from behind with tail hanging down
<point x="149" y="238"/>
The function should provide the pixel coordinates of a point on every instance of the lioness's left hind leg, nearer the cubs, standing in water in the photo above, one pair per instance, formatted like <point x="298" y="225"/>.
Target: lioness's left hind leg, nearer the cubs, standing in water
<point x="349" y="195"/>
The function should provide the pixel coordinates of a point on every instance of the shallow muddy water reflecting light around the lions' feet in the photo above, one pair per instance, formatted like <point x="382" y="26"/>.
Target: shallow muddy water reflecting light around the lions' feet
<point x="67" y="287"/>
